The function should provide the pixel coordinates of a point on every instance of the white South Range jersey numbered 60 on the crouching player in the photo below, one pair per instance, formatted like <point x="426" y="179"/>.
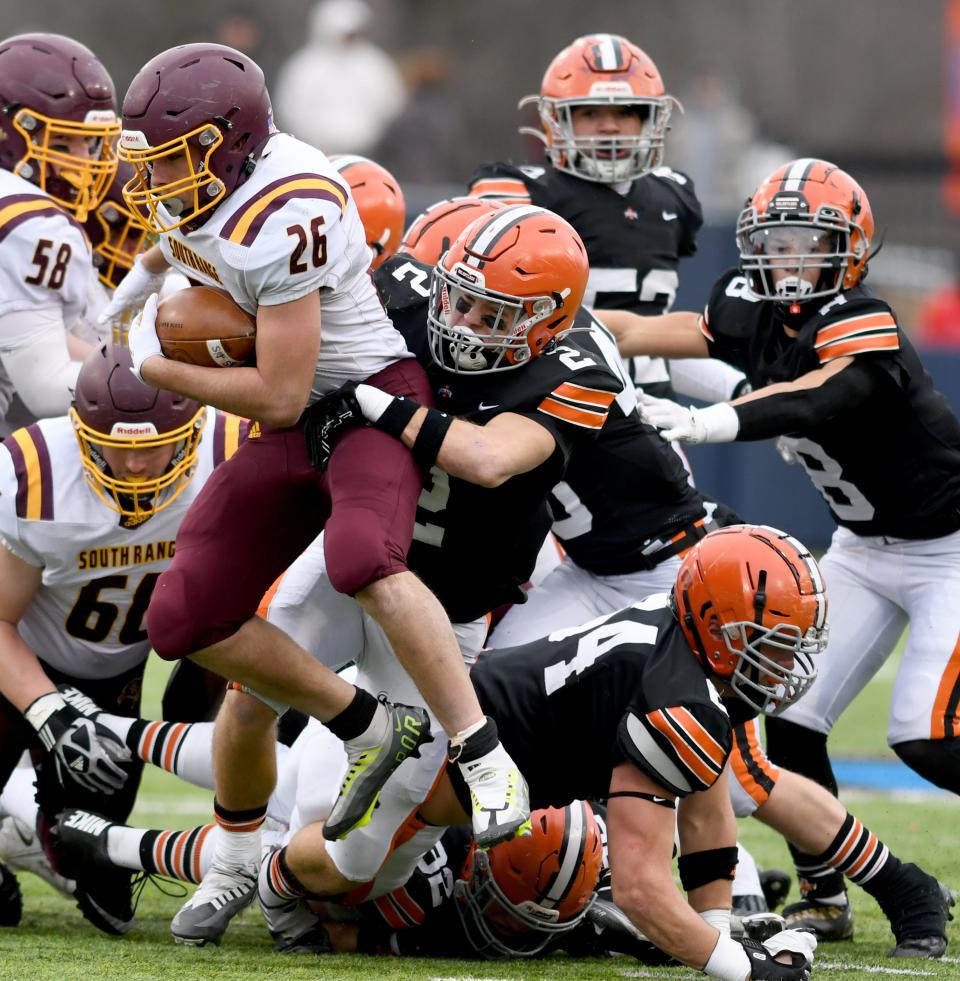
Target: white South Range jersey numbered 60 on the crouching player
<point x="88" y="617"/>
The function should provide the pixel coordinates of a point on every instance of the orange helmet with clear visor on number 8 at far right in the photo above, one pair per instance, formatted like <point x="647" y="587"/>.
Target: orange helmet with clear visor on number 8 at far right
<point x="808" y="214"/>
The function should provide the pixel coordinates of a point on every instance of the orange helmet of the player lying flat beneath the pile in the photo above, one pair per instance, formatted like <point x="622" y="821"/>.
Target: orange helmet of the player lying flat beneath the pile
<point x="516" y="897"/>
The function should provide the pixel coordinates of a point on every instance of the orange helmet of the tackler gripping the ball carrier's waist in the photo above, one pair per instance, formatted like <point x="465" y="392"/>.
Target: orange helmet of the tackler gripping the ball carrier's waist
<point x="509" y="285"/>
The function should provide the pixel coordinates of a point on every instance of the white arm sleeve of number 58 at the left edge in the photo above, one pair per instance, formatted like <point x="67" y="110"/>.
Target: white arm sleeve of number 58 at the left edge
<point x="35" y="356"/>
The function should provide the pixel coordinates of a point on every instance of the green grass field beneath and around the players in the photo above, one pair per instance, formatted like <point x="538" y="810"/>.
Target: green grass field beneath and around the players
<point x="54" y="942"/>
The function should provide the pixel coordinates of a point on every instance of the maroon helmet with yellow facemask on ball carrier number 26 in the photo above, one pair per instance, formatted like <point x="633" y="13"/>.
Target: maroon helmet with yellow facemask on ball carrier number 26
<point x="208" y="102"/>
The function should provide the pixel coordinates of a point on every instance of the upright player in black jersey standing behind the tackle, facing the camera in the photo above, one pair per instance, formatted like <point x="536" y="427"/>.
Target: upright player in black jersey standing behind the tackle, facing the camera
<point x="604" y="116"/>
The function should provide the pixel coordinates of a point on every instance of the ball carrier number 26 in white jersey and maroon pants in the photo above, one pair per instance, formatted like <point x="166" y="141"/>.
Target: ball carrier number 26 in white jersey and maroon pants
<point x="244" y="208"/>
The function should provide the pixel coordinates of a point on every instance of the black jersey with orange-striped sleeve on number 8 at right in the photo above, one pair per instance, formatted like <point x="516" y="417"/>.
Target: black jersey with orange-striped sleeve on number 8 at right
<point x="887" y="466"/>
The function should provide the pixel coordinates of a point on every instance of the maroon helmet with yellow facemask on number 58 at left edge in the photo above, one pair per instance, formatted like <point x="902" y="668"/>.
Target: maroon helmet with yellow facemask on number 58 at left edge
<point x="54" y="93"/>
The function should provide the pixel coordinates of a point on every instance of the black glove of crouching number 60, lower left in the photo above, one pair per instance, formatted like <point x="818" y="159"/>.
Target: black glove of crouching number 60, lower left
<point x="84" y="752"/>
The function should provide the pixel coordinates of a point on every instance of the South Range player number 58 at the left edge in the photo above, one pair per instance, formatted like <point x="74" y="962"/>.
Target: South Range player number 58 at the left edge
<point x="58" y="129"/>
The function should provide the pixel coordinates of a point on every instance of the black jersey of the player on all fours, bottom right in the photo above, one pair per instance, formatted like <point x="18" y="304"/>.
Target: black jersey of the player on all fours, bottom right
<point x="624" y="688"/>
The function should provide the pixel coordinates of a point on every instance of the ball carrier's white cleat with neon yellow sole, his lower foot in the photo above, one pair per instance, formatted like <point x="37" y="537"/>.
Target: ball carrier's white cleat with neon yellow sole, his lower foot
<point x="500" y="797"/>
